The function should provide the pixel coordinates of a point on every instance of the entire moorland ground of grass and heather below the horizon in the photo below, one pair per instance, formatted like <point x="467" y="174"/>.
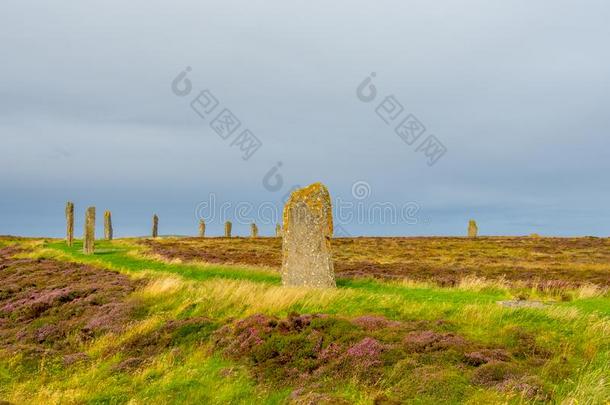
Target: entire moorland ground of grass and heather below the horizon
<point x="413" y="320"/>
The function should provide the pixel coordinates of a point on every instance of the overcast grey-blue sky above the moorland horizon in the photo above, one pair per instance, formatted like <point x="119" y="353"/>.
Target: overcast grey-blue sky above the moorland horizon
<point x="518" y="93"/>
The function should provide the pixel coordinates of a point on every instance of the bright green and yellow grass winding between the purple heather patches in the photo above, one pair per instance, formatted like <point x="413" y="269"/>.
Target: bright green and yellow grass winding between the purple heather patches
<point x="574" y="337"/>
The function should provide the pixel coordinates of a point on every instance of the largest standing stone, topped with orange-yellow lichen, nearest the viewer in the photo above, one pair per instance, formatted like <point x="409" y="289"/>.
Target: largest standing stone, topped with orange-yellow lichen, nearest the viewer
<point x="307" y="231"/>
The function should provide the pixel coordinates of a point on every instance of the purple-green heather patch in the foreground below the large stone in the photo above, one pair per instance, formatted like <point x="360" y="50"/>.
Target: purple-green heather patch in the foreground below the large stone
<point x="311" y="353"/>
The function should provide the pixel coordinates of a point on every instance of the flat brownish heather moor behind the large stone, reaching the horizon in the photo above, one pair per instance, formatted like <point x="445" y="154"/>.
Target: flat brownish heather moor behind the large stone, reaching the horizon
<point x="542" y="262"/>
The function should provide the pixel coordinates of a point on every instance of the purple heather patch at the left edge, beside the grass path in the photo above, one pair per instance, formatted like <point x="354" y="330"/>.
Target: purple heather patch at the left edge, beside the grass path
<point x="49" y="307"/>
